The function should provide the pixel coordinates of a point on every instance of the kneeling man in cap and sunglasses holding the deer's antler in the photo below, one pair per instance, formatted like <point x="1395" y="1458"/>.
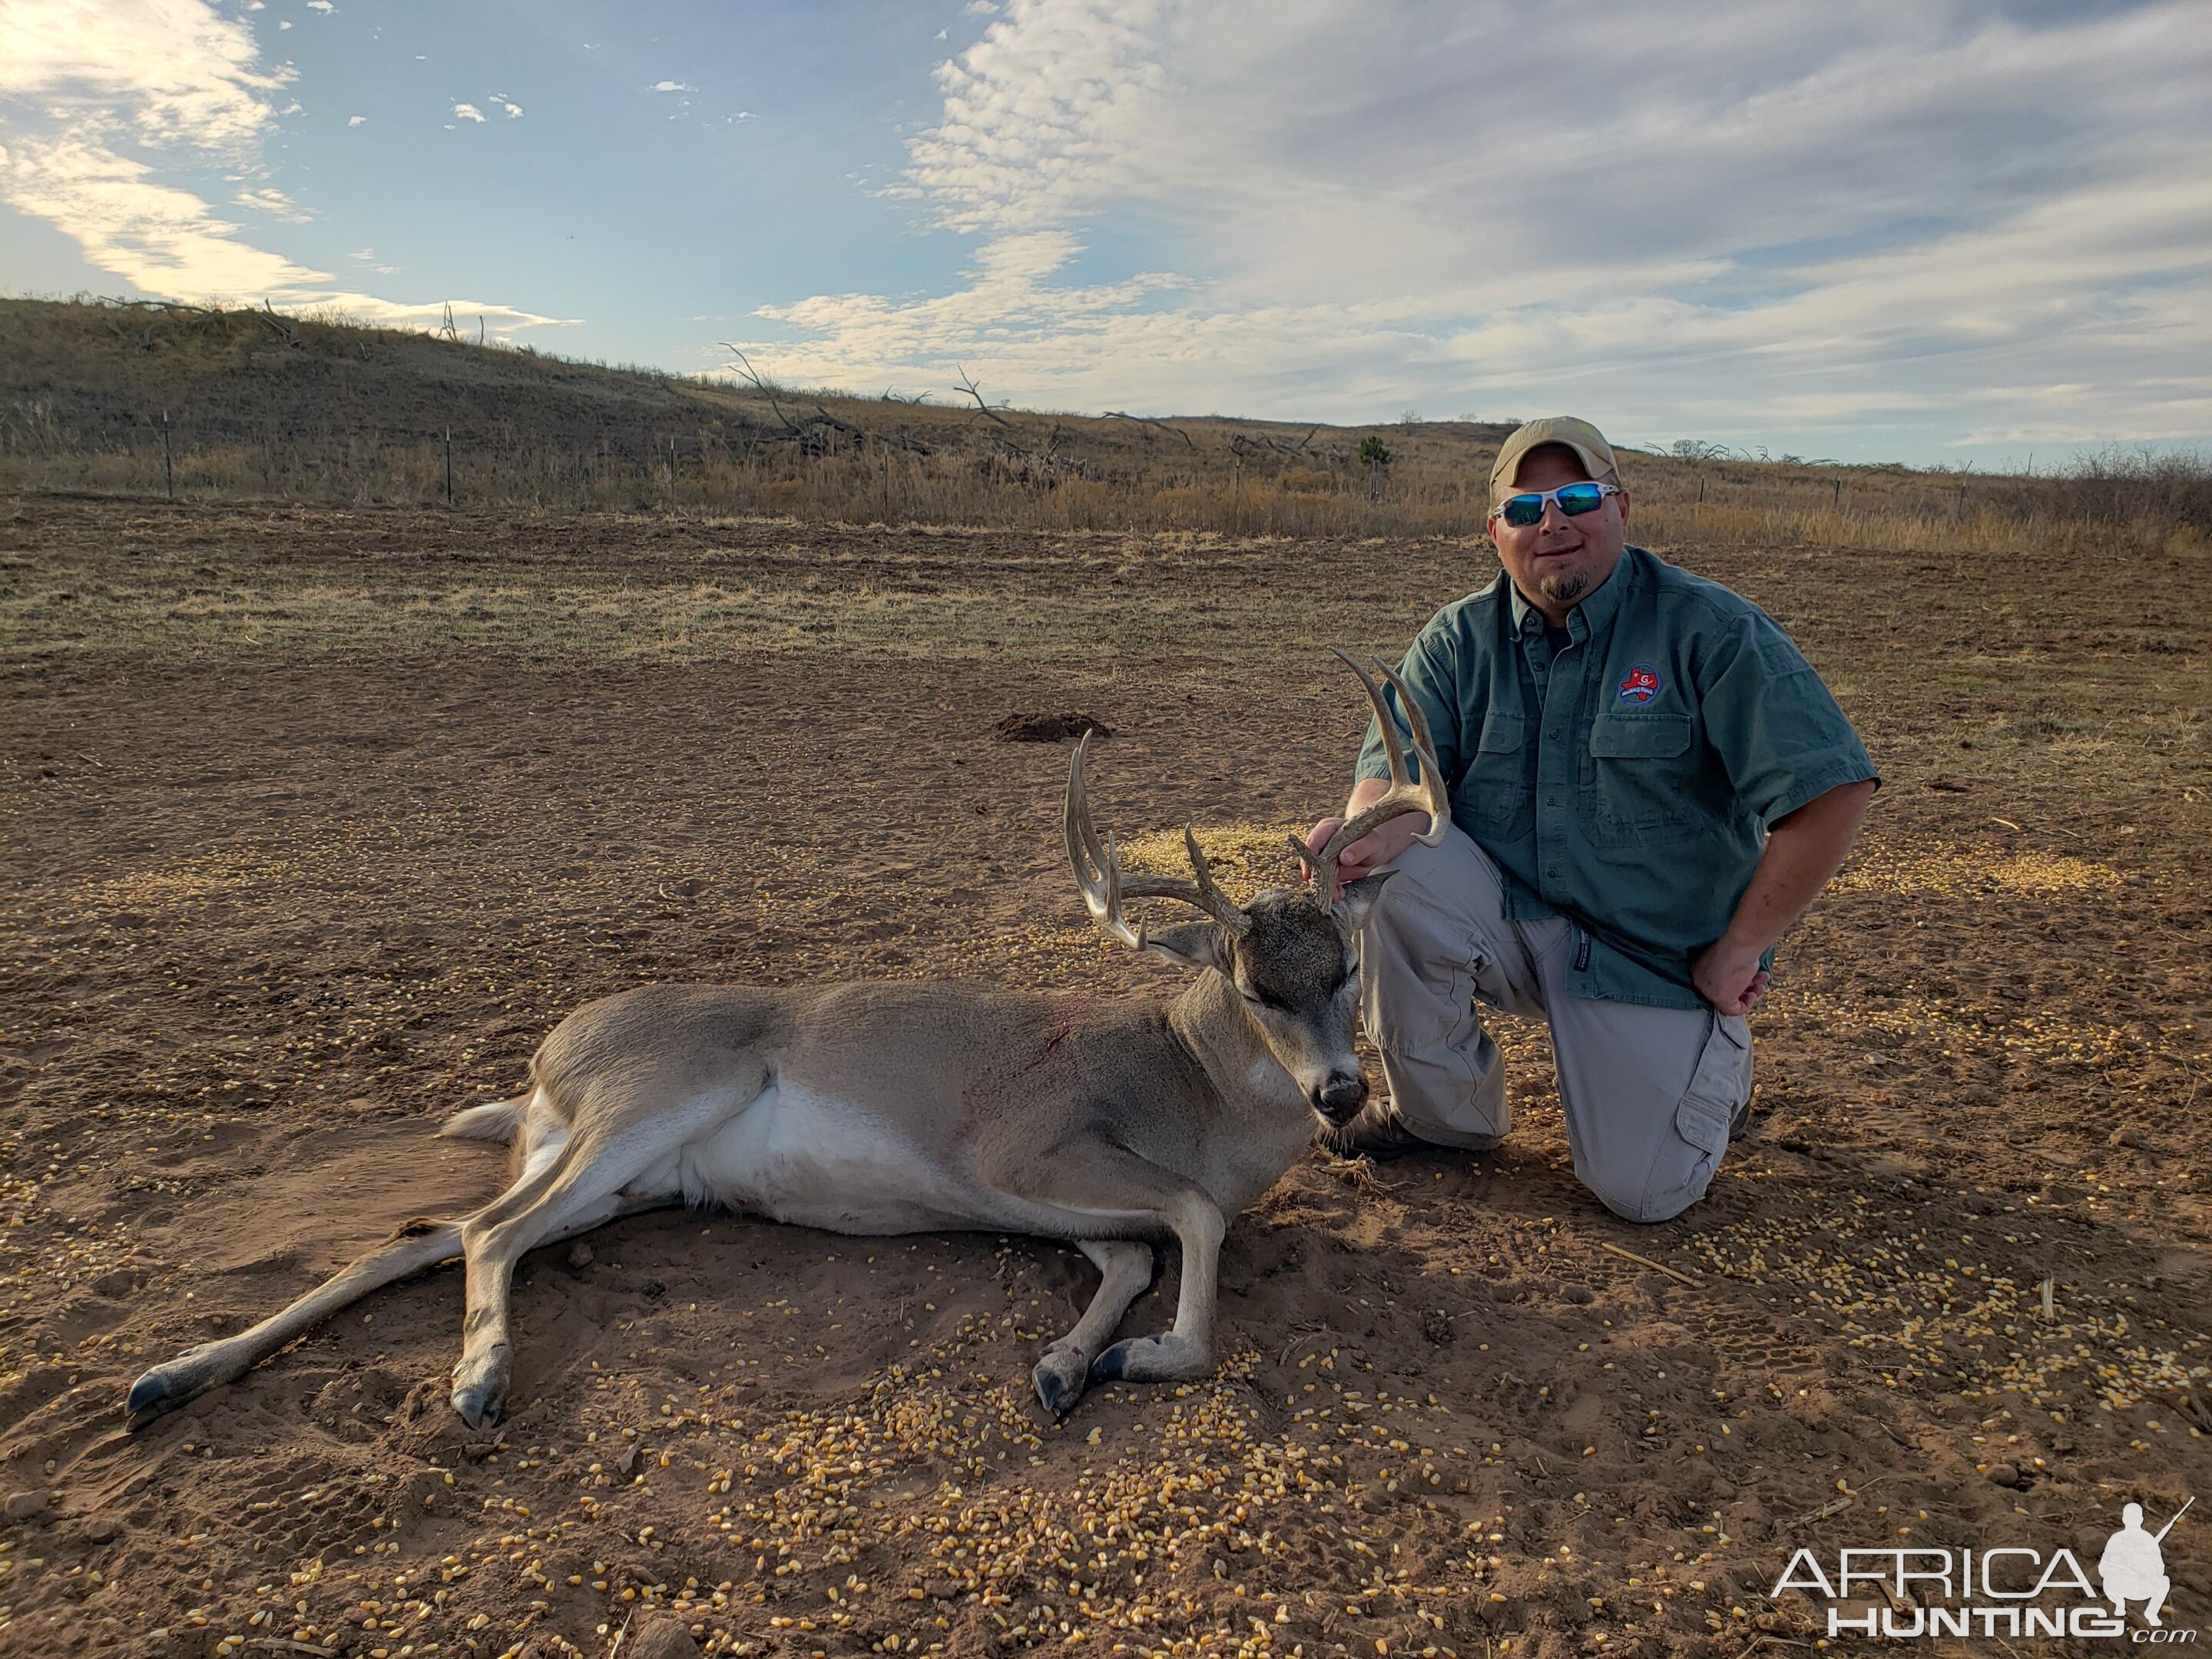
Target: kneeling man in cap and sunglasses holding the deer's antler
<point x="1649" y="786"/>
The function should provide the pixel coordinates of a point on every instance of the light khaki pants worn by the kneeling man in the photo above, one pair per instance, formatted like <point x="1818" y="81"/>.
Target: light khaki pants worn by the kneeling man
<point x="1649" y="1094"/>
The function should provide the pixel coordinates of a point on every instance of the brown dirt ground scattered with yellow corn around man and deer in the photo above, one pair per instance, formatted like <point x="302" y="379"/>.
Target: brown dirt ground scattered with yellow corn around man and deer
<point x="317" y="822"/>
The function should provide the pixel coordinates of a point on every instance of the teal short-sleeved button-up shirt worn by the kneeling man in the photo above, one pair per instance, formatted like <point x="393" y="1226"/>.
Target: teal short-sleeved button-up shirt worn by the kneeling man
<point x="1627" y="778"/>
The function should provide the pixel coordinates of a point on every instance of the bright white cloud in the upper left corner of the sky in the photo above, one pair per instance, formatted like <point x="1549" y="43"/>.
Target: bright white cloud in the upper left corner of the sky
<point x="96" y="92"/>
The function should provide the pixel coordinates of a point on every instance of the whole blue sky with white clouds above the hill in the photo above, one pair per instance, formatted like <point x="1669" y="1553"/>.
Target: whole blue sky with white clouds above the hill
<point x="1937" y="231"/>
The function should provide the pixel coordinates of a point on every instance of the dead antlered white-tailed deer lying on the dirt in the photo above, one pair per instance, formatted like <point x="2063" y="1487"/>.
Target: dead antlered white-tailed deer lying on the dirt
<point x="877" y="1109"/>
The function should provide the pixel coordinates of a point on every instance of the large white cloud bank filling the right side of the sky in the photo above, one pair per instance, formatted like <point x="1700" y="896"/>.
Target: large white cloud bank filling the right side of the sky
<point x="1731" y="222"/>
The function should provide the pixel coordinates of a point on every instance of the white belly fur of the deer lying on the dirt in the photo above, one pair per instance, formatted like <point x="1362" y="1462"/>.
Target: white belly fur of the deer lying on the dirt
<point x="822" y="1162"/>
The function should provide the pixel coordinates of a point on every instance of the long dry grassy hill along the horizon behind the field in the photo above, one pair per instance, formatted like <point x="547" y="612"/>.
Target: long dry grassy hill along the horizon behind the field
<point x="262" y="406"/>
